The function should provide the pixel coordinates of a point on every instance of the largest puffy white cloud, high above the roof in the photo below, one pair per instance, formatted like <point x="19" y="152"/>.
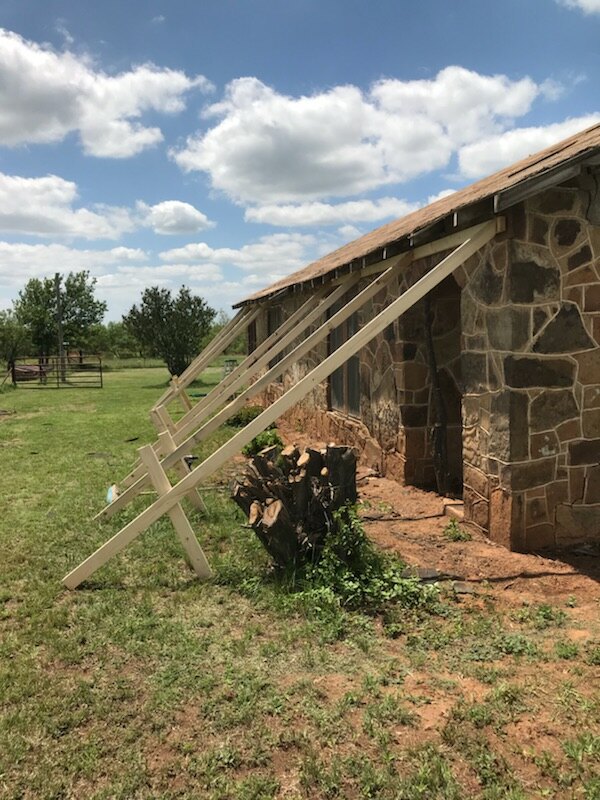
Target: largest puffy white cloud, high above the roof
<point x="267" y="148"/>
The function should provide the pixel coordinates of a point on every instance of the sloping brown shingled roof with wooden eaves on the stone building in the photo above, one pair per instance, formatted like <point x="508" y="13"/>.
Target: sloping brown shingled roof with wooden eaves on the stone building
<point x="474" y="203"/>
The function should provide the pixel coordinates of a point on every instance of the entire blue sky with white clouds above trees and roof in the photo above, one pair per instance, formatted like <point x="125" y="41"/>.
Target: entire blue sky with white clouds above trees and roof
<point x="224" y="143"/>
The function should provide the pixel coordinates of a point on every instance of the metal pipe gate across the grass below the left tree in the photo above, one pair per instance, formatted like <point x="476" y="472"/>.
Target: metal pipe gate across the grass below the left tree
<point x="69" y="372"/>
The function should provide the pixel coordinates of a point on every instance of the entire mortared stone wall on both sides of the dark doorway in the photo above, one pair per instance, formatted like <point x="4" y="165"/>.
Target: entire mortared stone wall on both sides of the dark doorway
<point x="517" y="343"/>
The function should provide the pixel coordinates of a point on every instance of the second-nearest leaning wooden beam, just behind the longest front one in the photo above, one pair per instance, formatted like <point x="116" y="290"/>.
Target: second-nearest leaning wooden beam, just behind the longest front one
<point x="195" y="435"/>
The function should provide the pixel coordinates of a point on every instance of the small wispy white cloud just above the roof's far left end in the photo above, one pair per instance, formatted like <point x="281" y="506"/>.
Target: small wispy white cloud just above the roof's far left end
<point x="281" y="253"/>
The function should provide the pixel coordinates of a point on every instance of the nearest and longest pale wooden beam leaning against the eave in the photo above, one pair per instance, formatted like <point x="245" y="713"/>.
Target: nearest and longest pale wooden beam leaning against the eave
<point x="375" y="326"/>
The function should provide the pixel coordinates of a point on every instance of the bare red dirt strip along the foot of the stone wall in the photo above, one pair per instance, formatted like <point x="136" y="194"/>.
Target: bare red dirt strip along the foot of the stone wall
<point x="411" y="522"/>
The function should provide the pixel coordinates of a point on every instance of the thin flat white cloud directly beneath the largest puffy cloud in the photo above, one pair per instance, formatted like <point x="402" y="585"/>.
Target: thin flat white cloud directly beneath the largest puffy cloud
<point x="316" y="213"/>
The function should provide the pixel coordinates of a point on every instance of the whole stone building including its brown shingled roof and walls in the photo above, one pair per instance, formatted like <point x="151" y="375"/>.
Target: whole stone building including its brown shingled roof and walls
<point x="501" y="358"/>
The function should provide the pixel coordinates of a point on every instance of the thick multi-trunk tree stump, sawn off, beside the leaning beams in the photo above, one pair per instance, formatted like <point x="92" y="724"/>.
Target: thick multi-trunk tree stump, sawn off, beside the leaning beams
<point x="290" y="496"/>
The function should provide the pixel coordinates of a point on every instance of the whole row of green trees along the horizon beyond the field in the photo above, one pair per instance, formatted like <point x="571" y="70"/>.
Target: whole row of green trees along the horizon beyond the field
<point x="173" y="328"/>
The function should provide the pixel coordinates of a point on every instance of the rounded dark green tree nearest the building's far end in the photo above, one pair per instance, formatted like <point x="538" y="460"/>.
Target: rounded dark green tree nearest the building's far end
<point x="170" y="327"/>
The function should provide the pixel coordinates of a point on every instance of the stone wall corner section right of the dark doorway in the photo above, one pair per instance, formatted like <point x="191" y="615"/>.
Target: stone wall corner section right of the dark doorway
<point x="539" y="323"/>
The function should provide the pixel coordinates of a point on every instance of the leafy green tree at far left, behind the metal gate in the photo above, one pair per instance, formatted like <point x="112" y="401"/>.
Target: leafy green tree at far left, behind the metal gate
<point x="37" y="308"/>
